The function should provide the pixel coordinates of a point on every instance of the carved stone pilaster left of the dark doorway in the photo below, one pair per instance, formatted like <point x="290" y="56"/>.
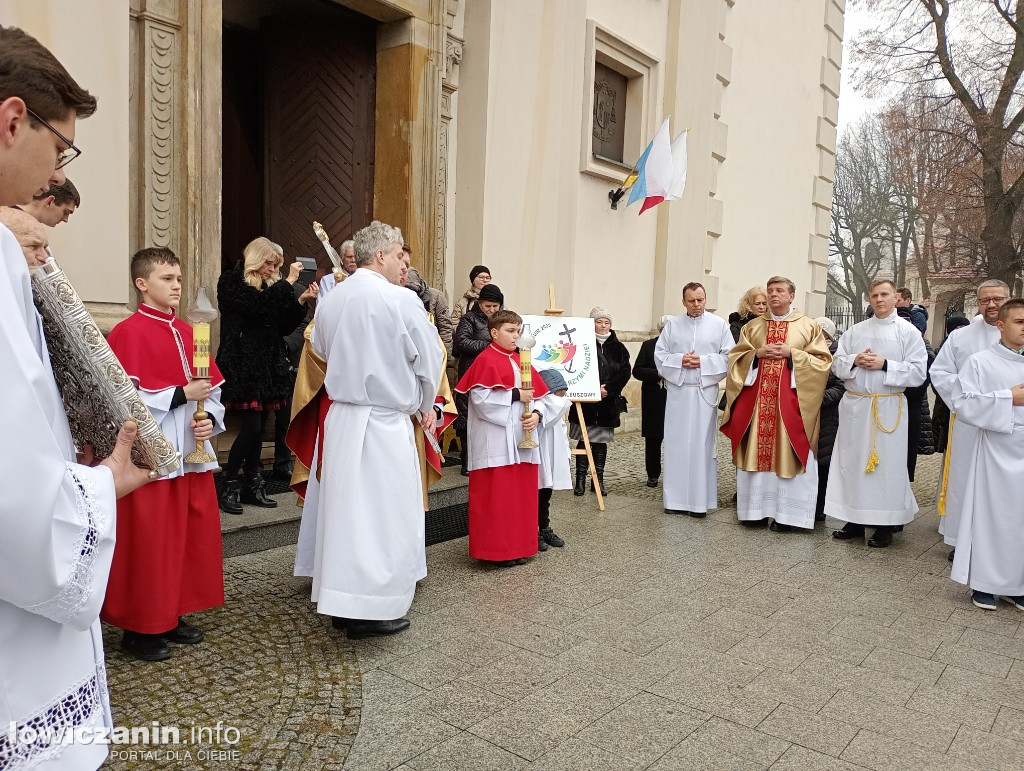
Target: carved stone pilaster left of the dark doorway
<point x="176" y="169"/>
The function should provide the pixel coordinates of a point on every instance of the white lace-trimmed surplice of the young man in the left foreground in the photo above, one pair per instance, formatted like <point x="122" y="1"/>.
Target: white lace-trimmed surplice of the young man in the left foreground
<point x="58" y="524"/>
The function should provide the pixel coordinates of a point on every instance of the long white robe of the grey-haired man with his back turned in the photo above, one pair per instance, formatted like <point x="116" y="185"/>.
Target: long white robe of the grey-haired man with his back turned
<point x="383" y="365"/>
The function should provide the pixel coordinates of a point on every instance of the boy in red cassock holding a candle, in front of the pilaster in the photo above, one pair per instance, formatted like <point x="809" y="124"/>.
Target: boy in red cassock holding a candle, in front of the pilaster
<point x="167" y="561"/>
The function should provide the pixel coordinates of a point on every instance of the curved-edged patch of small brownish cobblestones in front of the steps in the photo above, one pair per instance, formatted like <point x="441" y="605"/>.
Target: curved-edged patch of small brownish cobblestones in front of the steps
<point x="270" y="667"/>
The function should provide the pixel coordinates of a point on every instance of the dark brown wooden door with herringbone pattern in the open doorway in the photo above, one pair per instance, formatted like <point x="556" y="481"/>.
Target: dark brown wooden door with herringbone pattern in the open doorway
<point x="319" y="97"/>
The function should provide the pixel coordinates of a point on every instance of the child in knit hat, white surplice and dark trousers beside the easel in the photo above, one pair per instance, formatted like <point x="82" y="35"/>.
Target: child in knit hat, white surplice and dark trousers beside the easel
<point x="556" y="473"/>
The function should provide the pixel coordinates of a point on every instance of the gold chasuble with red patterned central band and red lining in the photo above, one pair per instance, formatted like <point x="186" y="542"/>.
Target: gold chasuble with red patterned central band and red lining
<point x="772" y="426"/>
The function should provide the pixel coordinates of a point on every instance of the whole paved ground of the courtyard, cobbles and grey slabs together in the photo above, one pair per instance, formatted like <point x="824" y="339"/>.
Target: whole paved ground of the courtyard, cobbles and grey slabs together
<point x="651" y="641"/>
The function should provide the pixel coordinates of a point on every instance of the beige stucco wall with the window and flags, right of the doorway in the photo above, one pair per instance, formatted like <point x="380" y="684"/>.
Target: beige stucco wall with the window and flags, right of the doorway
<point x="746" y="77"/>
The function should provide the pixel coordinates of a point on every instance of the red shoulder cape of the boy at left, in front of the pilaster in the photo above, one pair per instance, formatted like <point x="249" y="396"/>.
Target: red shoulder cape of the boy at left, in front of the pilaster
<point x="156" y="350"/>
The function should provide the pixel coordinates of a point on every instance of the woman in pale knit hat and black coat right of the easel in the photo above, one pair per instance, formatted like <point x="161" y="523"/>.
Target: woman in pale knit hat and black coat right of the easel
<point x="602" y="417"/>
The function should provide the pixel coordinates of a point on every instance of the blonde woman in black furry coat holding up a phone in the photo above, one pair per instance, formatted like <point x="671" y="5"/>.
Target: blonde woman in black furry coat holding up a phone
<point x="258" y="311"/>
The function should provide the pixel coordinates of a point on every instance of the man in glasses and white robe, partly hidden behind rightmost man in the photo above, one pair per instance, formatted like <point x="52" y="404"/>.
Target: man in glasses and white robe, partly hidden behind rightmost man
<point x="980" y="335"/>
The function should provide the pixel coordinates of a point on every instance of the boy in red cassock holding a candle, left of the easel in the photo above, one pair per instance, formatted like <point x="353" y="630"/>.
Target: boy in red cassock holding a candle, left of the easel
<point x="503" y="479"/>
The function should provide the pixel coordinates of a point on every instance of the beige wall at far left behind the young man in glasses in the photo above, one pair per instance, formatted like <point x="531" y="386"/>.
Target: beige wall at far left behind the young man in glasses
<point x="92" y="41"/>
